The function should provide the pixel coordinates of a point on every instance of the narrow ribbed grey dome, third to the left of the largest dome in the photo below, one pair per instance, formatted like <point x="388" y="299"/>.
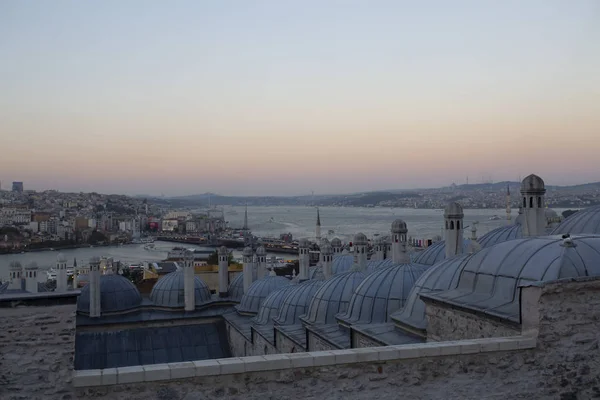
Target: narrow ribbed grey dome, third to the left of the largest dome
<point x="333" y="297"/>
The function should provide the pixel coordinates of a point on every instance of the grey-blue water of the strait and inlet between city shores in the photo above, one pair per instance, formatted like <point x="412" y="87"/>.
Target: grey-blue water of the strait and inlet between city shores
<point x="272" y="221"/>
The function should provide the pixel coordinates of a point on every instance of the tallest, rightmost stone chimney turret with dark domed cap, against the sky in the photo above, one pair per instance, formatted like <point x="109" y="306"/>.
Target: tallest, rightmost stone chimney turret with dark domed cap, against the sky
<point x="533" y="190"/>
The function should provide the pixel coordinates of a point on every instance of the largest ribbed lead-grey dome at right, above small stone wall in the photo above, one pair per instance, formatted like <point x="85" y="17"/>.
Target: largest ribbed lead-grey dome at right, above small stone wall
<point x="489" y="279"/>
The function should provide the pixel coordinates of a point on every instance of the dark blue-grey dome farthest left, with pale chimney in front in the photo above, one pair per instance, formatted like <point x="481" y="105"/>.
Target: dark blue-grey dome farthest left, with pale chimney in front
<point x="116" y="294"/>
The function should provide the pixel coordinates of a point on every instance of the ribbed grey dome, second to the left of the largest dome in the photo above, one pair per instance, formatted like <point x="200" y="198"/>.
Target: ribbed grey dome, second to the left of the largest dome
<point x="381" y="293"/>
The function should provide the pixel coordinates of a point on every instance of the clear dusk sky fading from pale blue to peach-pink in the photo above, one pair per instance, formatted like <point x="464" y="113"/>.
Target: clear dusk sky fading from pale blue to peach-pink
<point x="289" y="97"/>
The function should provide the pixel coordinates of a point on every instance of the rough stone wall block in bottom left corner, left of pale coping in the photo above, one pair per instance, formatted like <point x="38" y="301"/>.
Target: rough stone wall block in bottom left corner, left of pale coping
<point x="36" y="352"/>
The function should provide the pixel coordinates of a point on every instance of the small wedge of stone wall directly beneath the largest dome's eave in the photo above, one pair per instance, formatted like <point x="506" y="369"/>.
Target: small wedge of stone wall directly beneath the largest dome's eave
<point x="449" y="323"/>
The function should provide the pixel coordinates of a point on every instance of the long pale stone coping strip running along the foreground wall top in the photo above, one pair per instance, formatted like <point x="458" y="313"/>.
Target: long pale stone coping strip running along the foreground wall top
<point x="239" y="365"/>
